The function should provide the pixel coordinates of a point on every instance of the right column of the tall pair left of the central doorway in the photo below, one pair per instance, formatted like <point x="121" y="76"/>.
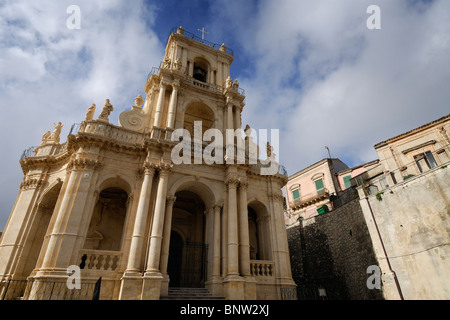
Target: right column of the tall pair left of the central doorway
<point x="158" y="222"/>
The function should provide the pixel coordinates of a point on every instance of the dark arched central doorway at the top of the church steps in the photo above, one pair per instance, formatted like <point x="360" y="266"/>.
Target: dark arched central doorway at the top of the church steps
<point x="187" y="251"/>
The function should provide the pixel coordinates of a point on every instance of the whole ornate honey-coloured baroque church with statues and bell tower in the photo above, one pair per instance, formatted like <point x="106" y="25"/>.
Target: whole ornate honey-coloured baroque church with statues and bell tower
<point x="112" y="201"/>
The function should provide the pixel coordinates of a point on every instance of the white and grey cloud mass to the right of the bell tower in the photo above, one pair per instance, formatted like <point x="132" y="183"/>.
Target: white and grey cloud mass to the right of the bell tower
<point x="326" y="80"/>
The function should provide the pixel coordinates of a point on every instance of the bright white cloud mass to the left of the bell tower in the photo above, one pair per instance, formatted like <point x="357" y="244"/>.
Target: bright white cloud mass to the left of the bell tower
<point x="50" y="73"/>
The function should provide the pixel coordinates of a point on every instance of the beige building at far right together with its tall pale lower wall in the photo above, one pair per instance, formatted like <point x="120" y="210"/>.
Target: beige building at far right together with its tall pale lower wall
<point x="405" y="202"/>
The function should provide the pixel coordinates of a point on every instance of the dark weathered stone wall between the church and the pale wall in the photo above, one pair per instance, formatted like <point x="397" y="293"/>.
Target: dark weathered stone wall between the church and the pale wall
<point x="333" y="251"/>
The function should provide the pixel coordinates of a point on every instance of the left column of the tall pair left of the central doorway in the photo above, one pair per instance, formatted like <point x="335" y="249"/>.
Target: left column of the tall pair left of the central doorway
<point x="137" y="241"/>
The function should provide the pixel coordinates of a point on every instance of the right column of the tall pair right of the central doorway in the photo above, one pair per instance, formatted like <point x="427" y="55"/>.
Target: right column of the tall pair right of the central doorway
<point x="244" y="242"/>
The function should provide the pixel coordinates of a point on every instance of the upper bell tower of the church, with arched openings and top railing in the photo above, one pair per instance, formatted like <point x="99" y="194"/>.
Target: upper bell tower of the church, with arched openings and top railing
<point x="192" y="83"/>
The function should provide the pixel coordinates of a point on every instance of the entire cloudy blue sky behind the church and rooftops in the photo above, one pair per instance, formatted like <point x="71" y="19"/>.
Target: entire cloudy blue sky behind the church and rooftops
<point x="310" y="68"/>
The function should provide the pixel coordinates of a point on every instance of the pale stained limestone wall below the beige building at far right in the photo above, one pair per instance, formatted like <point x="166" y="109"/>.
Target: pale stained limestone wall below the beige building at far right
<point x="413" y="221"/>
